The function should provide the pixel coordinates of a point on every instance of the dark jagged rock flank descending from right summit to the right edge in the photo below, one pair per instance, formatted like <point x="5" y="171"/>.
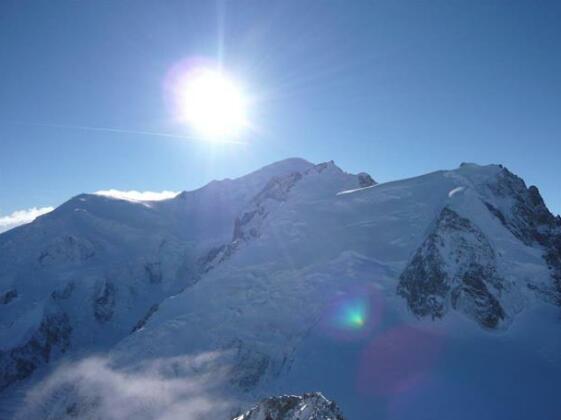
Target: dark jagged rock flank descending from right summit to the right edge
<point x="529" y="220"/>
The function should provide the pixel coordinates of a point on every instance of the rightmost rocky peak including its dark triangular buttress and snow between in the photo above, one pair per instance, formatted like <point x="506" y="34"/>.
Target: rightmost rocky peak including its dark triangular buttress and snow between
<point x="476" y="256"/>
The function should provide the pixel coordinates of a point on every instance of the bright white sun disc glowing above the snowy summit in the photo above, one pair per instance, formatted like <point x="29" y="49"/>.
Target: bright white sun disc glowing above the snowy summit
<point x="212" y="104"/>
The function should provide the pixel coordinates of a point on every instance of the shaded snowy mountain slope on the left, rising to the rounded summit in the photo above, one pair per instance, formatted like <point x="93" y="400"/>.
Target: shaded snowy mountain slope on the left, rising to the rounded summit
<point x="103" y="263"/>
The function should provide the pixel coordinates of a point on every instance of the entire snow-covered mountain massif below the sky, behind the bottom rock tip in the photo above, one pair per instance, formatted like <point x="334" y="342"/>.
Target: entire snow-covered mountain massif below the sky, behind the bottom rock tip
<point x="433" y="293"/>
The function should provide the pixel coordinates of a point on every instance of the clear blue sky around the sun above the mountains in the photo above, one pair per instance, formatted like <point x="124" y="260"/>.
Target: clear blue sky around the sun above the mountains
<point x="393" y="88"/>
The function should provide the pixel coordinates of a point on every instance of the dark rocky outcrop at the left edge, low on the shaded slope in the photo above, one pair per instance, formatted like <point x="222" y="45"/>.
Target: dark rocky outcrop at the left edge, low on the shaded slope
<point x="20" y="362"/>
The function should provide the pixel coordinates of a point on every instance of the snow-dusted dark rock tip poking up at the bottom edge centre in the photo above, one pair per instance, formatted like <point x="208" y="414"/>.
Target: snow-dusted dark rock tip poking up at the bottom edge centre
<point x="309" y="406"/>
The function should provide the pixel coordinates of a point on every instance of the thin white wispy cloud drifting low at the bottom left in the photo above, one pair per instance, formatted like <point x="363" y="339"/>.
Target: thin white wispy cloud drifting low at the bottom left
<point x="177" y="388"/>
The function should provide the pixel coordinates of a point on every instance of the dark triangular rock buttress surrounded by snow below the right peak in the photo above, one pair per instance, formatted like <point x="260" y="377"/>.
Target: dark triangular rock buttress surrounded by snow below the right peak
<point x="454" y="267"/>
